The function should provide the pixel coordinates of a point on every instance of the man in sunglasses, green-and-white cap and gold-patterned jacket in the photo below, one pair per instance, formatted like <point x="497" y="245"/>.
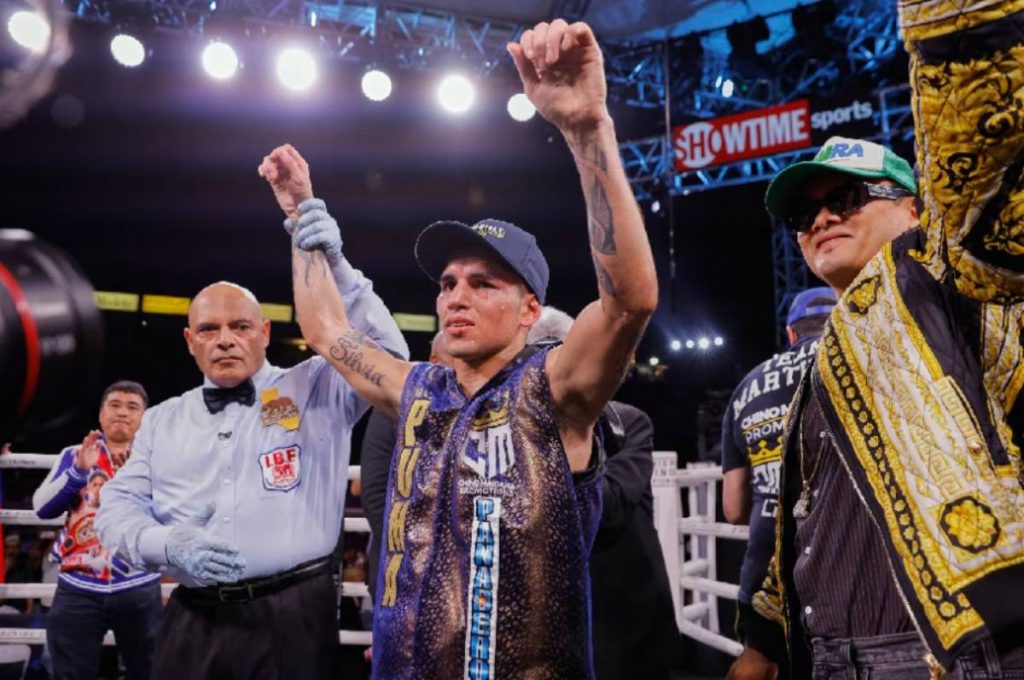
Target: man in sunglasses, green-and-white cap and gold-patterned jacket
<point x="900" y="540"/>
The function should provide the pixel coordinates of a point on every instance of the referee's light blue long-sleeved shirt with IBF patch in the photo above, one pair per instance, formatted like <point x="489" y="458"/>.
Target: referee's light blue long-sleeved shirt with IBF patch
<point x="279" y="494"/>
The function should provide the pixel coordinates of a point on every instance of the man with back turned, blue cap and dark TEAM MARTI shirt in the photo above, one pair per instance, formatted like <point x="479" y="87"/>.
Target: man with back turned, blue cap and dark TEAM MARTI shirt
<point x="752" y="436"/>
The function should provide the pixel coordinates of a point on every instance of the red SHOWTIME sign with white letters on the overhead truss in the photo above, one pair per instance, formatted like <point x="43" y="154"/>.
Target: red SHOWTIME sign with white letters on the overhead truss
<point x="743" y="137"/>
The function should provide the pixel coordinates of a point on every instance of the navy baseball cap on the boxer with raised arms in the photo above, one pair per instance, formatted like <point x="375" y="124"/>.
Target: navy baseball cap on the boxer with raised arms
<point x="439" y="243"/>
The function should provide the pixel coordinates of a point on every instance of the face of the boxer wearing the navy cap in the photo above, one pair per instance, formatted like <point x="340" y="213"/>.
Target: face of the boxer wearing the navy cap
<point x="484" y="308"/>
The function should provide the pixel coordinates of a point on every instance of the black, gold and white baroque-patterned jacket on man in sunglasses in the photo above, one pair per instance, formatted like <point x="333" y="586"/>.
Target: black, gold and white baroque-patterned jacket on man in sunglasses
<point x="921" y="366"/>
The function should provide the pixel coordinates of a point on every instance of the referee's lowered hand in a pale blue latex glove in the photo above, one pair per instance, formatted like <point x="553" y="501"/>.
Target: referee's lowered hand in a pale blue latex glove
<point x="208" y="560"/>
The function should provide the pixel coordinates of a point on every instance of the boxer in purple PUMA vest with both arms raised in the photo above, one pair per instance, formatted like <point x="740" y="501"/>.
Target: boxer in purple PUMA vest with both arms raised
<point x="493" y="499"/>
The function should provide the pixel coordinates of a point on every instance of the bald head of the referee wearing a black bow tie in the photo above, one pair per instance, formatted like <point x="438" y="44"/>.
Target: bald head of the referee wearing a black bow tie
<point x="228" y="335"/>
